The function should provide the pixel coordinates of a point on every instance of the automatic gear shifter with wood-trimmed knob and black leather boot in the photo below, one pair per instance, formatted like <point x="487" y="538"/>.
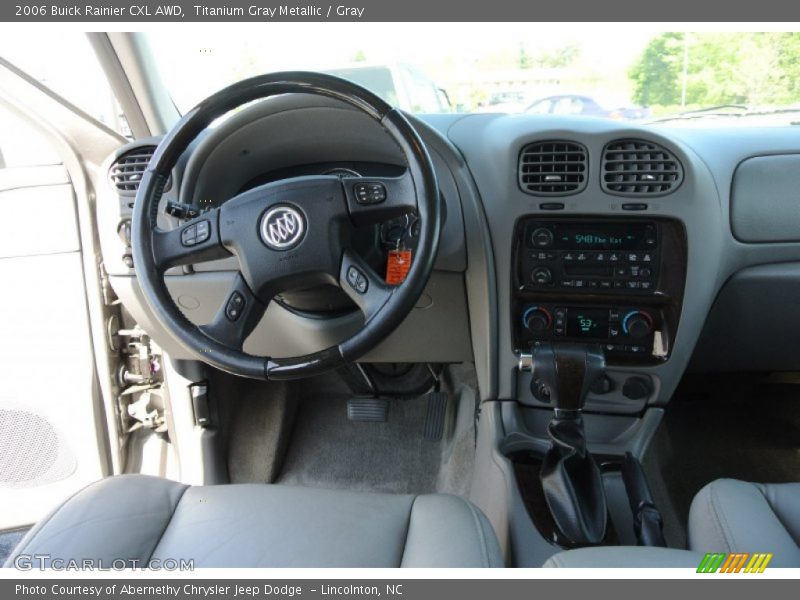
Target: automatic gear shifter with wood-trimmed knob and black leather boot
<point x="571" y="479"/>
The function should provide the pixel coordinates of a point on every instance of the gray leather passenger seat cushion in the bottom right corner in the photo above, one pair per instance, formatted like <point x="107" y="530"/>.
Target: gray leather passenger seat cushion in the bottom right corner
<point x="735" y="516"/>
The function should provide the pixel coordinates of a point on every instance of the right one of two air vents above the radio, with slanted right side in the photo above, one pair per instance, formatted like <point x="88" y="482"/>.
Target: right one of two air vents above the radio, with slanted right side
<point x="639" y="168"/>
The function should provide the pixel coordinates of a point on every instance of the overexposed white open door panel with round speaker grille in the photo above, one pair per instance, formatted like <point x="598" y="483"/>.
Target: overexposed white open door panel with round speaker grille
<point x="49" y="424"/>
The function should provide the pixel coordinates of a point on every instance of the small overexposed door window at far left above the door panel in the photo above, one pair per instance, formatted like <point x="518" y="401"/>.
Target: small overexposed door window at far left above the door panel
<point x="22" y="145"/>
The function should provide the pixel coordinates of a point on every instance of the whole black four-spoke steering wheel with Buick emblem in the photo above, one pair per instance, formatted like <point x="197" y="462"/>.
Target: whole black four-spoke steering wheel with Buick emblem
<point x="290" y="234"/>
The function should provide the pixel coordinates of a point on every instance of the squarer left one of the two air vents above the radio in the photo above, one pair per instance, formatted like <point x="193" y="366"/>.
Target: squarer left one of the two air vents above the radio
<point x="552" y="168"/>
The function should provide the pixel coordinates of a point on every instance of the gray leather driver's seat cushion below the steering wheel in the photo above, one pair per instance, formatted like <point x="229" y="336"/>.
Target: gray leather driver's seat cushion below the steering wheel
<point x="139" y="518"/>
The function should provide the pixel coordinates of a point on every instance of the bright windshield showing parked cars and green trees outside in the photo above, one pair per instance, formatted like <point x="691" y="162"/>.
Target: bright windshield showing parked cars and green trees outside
<point x="623" y="72"/>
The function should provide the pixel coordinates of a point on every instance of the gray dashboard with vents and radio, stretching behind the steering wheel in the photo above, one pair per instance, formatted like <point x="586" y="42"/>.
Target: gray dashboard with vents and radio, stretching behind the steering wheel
<point x="654" y="242"/>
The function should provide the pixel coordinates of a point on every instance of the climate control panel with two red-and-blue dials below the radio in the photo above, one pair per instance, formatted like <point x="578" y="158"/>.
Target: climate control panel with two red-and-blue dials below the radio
<point x="626" y="330"/>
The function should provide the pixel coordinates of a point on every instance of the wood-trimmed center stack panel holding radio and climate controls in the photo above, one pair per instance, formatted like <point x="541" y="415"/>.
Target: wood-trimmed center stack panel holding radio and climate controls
<point x="615" y="282"/>
